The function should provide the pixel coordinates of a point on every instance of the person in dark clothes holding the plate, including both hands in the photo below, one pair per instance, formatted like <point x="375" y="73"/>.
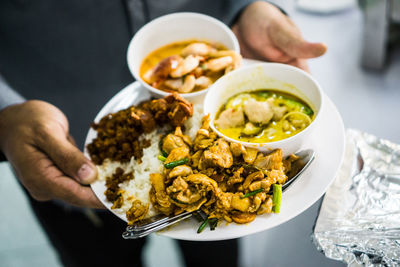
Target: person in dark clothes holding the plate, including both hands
<point x="72" y="54"/>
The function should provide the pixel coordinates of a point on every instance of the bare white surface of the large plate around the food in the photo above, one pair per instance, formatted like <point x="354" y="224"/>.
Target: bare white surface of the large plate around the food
<point x="327" y="140"/>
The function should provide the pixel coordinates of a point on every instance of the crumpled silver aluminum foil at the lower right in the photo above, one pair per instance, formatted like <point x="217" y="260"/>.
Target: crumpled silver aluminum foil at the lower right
<point x="359" y="219"/>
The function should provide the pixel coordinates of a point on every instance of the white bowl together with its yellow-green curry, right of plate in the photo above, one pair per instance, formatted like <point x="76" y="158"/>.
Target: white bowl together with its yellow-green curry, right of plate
<point x="265" y="106"/>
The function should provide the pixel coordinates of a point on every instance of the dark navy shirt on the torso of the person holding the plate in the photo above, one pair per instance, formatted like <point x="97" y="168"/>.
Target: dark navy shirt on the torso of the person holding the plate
<point x="72" y="53"/>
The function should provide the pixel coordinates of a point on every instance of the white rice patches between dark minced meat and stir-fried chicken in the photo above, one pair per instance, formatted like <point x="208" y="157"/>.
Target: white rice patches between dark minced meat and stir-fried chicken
<point x="139" y="187"/>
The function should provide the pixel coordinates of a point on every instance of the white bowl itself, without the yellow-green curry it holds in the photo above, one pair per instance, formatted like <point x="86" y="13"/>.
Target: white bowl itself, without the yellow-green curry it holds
<point x="275" y="76"/>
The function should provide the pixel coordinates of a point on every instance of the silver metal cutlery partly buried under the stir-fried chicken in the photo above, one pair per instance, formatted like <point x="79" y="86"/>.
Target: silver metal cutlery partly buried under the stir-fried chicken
<point x="159" y="222"/>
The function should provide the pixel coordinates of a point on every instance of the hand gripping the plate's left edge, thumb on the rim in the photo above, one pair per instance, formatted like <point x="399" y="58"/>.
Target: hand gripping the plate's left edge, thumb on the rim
<point x="34" y="137"/>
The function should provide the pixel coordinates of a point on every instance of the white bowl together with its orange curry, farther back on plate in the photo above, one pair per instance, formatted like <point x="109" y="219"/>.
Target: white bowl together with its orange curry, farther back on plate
<point x="184" y="53"/>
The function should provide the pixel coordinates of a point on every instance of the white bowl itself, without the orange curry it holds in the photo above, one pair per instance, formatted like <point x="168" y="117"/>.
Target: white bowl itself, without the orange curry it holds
<point x="173" y="28"/>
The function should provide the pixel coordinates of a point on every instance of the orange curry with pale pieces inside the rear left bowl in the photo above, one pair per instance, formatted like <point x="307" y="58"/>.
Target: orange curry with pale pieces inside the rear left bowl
<point x="188" y="66"/>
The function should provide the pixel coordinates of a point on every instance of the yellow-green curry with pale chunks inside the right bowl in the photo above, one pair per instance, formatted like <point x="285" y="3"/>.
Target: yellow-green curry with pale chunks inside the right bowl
<point x="263" y="116"/>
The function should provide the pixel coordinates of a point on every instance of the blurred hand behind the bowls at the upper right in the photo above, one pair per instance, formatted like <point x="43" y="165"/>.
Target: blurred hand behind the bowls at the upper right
<point x="265" y="33"/>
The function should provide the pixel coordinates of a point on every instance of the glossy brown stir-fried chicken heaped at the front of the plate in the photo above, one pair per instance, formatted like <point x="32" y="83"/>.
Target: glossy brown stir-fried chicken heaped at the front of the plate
<point x="227" y="181"/>
